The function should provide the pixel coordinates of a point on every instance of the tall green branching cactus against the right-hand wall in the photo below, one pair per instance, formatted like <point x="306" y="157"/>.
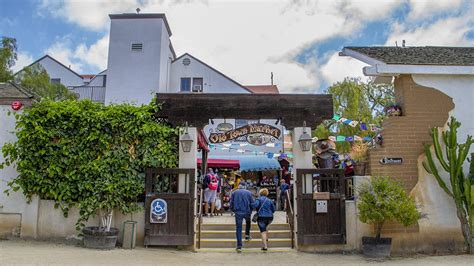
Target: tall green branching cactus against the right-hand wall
<point x="461" y="189"/>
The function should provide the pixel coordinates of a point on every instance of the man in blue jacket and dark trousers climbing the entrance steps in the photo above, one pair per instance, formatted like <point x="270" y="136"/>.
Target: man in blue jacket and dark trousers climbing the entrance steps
<point x="241" y="202"/>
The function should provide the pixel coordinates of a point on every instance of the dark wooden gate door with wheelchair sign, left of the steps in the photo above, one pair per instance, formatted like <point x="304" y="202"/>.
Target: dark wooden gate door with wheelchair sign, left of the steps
<point x="176" y="187"/>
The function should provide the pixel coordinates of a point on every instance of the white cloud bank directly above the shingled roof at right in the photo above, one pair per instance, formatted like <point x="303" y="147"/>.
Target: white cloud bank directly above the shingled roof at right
<point x="451" y="31"/>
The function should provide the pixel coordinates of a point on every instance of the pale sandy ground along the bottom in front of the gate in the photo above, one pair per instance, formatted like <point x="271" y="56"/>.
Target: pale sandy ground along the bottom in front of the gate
<point x="41" y="253"/>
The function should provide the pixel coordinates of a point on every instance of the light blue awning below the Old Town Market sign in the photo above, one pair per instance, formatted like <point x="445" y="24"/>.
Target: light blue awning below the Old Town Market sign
<point x="250" y="163"/>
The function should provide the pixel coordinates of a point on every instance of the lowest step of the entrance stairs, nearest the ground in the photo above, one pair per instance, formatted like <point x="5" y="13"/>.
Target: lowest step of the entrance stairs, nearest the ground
<point x="254" y="243"/>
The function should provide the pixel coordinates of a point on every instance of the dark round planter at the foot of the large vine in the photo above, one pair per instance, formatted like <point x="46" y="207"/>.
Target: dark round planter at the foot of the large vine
<point x="98" y="239"/>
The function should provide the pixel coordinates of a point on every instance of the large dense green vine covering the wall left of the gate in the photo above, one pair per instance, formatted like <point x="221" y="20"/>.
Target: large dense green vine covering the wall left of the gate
<point x="87" y="154"/>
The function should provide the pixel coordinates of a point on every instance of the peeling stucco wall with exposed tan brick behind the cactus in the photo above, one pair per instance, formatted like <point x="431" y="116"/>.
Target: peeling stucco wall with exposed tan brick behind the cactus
<point x="424" y="107"/>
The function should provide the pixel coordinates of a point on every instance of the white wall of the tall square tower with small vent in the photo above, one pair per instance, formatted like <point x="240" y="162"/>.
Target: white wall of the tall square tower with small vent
<point x="134" y="76"/>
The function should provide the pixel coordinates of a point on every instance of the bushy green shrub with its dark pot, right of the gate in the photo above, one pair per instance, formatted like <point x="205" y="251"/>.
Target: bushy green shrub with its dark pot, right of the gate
<point x="379" y="201"/>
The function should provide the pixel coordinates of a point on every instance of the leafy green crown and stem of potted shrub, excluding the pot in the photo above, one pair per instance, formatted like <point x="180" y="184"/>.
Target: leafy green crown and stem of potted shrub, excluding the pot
<point x="381" y="200"/>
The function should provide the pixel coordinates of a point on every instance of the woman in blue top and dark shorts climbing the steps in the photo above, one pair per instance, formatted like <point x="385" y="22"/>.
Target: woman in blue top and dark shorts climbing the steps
<point x="265" y="209"/>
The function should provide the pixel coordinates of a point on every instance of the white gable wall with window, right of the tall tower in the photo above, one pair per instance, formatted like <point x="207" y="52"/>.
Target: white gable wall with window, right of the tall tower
<point x="213" y="82"/>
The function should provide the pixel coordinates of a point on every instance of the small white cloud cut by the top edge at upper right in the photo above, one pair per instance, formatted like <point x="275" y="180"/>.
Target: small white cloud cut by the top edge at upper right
<point x="420" y="9"/>
